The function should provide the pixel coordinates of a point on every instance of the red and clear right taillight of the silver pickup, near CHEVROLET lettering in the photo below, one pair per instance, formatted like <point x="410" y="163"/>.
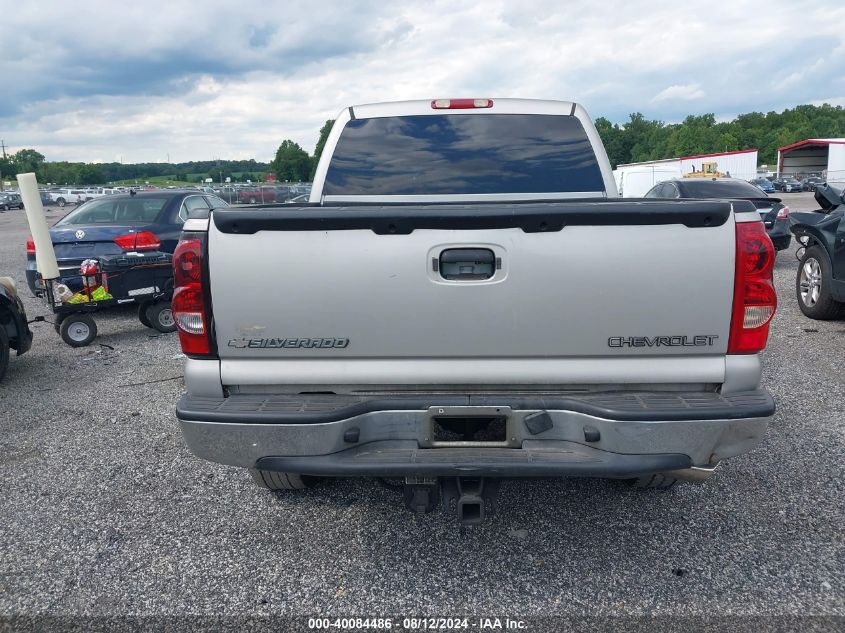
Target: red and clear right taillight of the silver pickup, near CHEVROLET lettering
<point x="755" y="299"/>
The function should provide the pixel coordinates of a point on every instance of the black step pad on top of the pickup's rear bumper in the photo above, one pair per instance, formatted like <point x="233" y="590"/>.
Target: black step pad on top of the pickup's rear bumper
<point x="622" y="406"/>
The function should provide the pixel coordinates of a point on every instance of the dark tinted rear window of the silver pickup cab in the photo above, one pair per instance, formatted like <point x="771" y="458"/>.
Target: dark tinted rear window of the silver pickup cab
<point x="463" y="154"/>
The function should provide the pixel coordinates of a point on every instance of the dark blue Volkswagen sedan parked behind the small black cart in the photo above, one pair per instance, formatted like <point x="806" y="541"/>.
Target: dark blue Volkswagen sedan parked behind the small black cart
<point x="110" y="225"/>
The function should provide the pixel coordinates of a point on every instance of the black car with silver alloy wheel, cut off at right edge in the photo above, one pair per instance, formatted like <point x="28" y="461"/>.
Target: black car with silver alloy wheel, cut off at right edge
<point x="820" y="280"/>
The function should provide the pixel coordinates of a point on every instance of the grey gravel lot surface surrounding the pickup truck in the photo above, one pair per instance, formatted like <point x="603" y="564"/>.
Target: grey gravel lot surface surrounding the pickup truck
<point x="105" y="512"/>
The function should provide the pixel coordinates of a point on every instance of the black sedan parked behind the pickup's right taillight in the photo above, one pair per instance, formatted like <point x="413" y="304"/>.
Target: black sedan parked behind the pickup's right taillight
<point x="773" y="212"/>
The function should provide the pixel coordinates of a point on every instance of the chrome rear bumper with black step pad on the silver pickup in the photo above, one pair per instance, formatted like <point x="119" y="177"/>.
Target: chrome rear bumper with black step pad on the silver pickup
<point x="604" y="435"/>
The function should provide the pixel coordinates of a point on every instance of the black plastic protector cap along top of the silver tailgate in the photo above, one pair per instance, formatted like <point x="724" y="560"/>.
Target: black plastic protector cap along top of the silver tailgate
<point x="530" y="216"/>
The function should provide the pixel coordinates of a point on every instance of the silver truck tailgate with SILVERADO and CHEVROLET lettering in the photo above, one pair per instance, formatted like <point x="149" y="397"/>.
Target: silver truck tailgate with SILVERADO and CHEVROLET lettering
<point x="362" y="295"/>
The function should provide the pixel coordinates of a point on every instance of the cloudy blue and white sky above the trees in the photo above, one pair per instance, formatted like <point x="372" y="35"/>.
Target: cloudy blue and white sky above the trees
<point x="175" y="81"/>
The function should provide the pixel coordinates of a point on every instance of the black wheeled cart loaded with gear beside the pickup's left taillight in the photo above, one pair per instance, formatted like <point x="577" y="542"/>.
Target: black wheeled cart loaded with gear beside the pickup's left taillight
<point x="145" y="278"/>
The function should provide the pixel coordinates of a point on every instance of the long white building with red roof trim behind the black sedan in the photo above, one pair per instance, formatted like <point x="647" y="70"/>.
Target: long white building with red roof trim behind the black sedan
<point x="635" y="179"/>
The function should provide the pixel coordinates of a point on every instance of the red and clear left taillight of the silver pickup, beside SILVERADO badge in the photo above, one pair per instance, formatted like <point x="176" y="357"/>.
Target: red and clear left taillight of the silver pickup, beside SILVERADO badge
<point x="191" y="310"/>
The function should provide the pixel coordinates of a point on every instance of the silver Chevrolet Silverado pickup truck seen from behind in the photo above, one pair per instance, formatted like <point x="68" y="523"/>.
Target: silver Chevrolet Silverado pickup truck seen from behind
<point x="465" y="298"/>
